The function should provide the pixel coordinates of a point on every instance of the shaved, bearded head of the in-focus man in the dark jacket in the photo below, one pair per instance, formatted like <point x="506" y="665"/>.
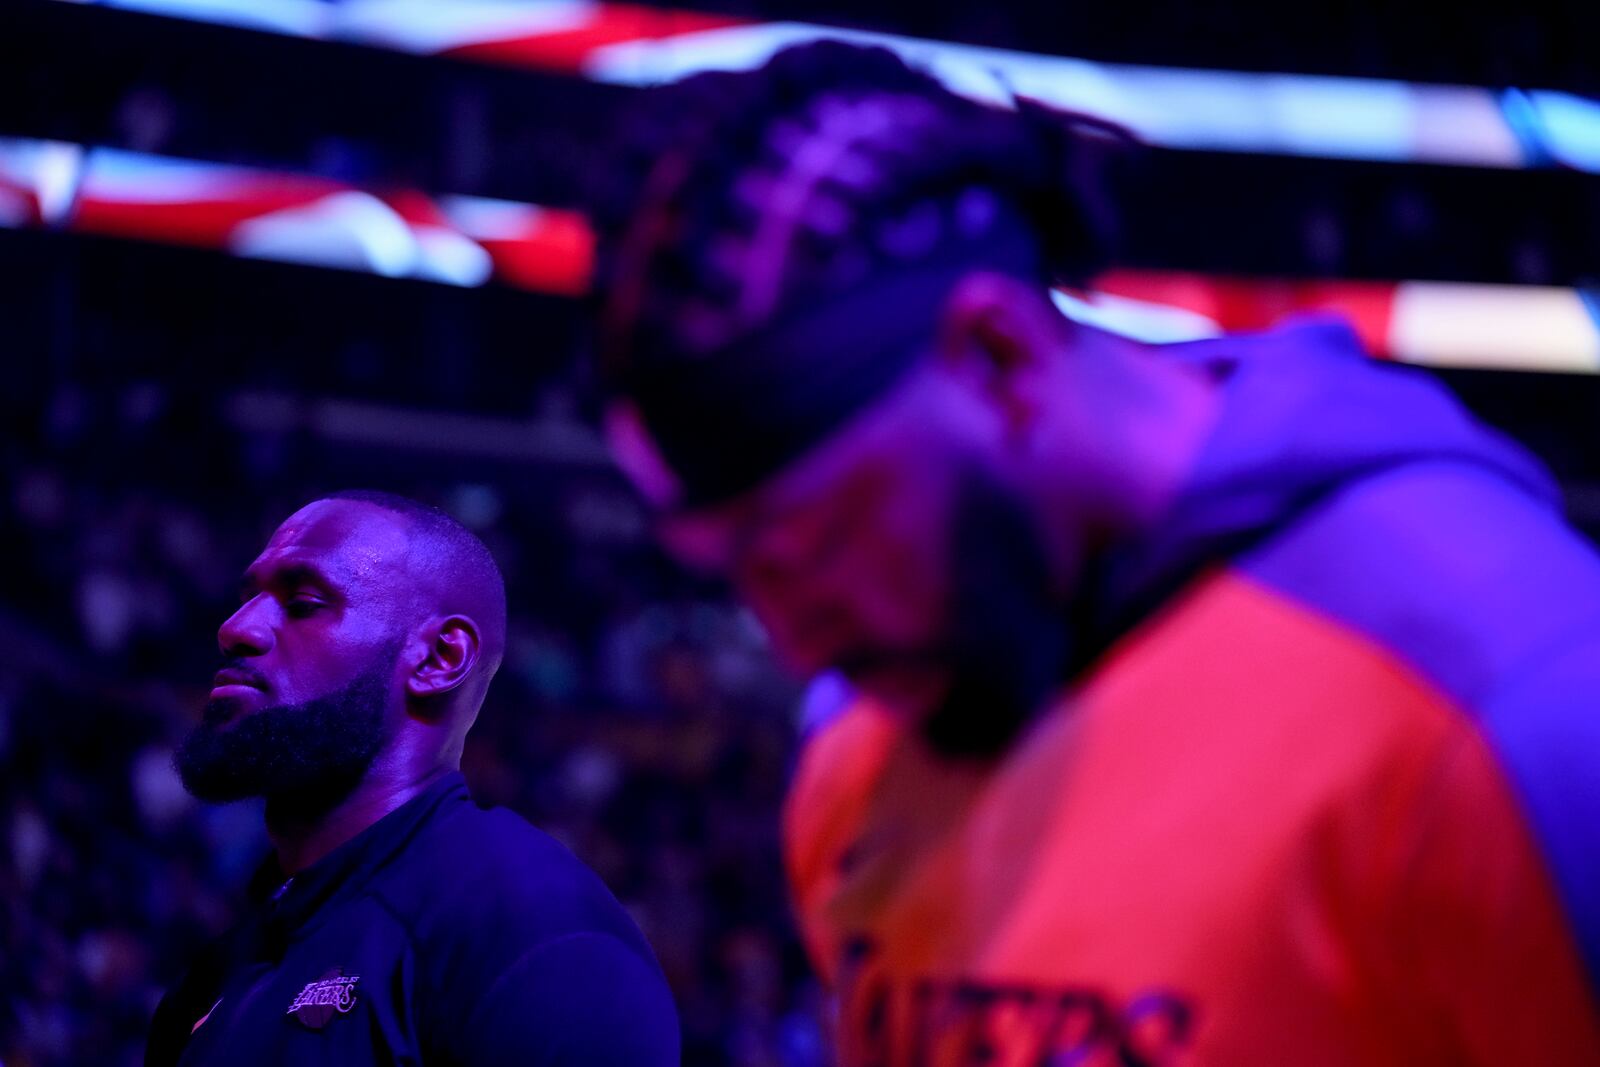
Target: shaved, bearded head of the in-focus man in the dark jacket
<point x="367" y="636"/>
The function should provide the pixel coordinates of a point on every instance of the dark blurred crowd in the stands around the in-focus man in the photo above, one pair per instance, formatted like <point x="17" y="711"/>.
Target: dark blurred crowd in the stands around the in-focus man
<point x="638" y="719"/>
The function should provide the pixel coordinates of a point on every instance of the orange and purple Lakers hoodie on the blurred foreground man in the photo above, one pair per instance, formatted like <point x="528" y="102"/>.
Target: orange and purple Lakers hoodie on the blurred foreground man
<point x="1330" y="794"/>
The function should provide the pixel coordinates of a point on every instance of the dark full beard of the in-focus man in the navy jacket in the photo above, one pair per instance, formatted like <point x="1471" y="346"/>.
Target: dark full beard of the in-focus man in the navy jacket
<point x="305" y="759"/>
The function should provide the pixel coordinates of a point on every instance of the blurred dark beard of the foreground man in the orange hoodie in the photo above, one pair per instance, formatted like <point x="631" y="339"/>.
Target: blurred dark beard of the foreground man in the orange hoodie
<point x="1007" y="645"/>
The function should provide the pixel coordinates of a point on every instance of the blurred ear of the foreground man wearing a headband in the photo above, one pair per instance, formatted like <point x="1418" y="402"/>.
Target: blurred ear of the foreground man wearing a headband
<point x="993" y="334"/>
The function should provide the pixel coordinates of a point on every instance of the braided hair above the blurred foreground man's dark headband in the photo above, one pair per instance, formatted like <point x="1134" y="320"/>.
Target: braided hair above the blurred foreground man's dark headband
<point x="738" y="202"/>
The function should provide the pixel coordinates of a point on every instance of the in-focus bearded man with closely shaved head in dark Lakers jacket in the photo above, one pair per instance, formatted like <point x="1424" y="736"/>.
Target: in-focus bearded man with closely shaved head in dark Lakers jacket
<point x="398" y="922"/>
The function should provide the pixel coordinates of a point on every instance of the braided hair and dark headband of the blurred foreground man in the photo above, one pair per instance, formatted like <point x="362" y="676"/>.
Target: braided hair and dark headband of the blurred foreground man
<point x="772" y="247"/>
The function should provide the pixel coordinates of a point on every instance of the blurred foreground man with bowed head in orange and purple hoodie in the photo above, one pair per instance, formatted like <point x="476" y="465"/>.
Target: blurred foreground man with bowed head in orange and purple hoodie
<point x="1225" y="703"/>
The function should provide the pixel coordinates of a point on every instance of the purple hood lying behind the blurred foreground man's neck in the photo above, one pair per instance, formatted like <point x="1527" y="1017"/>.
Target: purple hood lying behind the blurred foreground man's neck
<point x="1305" y="415"/>
